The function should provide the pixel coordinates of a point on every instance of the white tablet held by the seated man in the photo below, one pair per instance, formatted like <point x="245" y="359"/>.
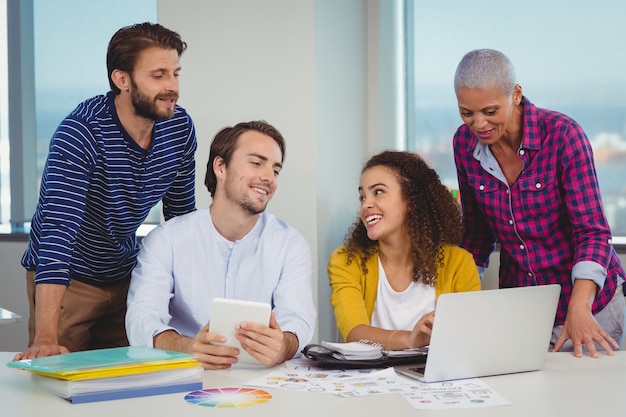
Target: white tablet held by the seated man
<point x="227" y="313"/>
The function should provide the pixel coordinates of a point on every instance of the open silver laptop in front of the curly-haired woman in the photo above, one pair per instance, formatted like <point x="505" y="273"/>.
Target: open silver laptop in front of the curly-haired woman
<point x="489" y="332"/>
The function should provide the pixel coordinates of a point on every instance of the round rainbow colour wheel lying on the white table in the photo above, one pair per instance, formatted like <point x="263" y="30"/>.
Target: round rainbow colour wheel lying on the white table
<point x="228" y="397"/>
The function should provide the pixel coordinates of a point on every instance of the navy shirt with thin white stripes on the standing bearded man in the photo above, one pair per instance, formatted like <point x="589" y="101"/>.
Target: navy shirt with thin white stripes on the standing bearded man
<point x="98" y="186"/>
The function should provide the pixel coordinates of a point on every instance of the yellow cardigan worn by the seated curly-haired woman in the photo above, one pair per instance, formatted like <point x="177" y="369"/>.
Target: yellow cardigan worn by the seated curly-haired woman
<point x="354" y="292"/>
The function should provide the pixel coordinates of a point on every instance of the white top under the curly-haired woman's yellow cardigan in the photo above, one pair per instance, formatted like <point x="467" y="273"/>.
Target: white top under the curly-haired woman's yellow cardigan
<point x="401" y="310"/>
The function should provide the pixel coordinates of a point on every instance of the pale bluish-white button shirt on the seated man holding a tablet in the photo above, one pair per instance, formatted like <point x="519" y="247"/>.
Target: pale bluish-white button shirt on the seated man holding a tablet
<point x="184" y="263"/>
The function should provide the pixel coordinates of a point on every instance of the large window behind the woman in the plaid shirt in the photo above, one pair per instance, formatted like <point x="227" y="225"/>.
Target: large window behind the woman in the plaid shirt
<point x="568" y="56"/>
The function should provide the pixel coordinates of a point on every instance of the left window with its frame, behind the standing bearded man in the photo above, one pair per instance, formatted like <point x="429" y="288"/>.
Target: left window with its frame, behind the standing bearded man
<point x="55" y="57"/>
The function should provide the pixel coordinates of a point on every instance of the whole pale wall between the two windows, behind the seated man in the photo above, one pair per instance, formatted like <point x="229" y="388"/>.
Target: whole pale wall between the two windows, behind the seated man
<point x="300" y="65"/>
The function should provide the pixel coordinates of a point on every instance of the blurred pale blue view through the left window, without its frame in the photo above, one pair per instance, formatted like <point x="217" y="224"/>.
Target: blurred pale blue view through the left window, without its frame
<point x="70" y="39"/>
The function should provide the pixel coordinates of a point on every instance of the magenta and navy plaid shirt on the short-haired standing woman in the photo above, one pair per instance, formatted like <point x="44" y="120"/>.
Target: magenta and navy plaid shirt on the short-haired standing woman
<point x="550" y="223"/>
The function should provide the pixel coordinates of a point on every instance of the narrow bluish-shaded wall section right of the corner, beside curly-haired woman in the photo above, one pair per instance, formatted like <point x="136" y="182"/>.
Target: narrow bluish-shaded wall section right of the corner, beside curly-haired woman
<point x="341" y="97"/>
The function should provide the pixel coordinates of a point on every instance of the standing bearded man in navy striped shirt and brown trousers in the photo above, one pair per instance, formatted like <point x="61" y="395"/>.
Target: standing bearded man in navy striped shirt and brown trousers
<point x="110" y="161"/>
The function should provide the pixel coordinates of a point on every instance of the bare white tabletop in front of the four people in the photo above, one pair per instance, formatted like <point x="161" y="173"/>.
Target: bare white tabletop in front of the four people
<point x="566" y="387"/>
